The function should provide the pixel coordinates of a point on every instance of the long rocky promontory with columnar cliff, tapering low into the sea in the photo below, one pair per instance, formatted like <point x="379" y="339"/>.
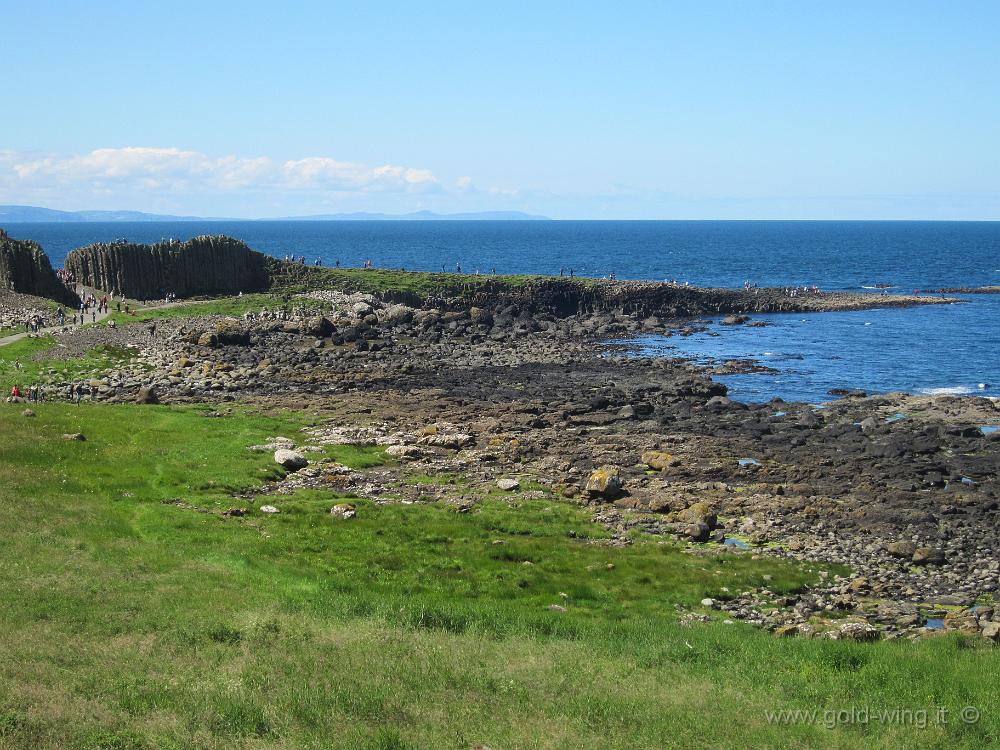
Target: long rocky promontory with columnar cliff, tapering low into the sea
<point x="219" y="265"/>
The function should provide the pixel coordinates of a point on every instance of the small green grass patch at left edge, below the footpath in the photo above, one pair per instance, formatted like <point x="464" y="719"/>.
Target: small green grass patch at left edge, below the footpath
<point x="24" y="363"/>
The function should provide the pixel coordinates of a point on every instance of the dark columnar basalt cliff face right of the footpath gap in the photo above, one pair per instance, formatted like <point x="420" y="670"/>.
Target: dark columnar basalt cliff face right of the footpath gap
<point x="200" y="266"/>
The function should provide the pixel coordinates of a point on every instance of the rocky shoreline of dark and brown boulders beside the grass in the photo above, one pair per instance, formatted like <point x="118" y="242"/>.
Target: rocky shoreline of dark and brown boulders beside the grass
<point x="901" y="490"/>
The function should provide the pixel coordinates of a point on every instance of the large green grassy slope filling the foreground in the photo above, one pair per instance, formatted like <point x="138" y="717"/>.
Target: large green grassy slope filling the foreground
<point x="131" y="623"/>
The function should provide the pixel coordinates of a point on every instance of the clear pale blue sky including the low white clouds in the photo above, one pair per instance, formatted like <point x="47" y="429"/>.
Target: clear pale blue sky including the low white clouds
<point x="576" y="110"/>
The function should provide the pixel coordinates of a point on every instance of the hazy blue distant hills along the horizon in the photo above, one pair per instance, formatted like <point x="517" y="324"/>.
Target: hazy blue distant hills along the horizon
<point x="31" y="214"/>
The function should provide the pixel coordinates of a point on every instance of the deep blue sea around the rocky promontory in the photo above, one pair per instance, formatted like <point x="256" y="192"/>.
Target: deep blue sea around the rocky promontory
<point x="951" y="349"/>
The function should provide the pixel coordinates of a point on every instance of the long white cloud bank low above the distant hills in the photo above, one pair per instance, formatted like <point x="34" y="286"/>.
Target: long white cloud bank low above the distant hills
<point x="172" y="169"/>
